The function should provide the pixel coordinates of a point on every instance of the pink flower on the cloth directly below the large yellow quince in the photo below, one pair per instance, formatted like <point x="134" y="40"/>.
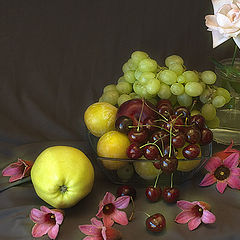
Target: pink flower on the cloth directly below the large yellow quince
<point x="46" y="221"/>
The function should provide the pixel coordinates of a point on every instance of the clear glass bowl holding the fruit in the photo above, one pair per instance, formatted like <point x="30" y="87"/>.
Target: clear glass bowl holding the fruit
<point x="142" y="171"/>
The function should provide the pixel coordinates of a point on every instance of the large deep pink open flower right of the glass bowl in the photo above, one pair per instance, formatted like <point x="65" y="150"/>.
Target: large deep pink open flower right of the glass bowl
<point x="224" y="172"/>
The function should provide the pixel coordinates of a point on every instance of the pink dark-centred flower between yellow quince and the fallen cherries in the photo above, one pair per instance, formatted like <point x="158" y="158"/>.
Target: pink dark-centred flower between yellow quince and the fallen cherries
<point x="108" y="209"/>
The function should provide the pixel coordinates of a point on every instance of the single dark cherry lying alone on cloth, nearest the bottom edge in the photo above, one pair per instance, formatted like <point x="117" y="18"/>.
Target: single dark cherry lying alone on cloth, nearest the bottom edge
<point x="156" y="222"/>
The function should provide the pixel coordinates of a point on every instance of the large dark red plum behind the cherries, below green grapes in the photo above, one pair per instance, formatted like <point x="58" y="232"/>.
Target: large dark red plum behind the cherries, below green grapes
<point x="133" y="109"/>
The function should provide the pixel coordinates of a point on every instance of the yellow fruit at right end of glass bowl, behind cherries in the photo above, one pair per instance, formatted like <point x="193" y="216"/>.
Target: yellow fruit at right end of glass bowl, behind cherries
<point x="186" y="165"/>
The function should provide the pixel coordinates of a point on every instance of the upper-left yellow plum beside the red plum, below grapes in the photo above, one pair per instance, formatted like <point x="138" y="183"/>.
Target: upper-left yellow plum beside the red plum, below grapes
<point x="100" y="118"/>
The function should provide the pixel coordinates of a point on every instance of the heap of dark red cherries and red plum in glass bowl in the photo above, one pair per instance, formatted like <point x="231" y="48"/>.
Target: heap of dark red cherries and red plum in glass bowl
<point x="158" y="133"/>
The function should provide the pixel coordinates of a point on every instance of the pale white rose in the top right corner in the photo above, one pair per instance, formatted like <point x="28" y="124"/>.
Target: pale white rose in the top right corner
<point x="225" y="23"/>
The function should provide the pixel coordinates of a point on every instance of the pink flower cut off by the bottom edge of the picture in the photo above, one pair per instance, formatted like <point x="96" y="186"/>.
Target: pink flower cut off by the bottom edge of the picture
<point x="97" y="231"/>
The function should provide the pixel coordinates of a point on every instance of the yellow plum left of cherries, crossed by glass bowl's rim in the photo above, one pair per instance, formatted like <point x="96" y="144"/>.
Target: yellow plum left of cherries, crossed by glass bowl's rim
<point x="114" y="145"/>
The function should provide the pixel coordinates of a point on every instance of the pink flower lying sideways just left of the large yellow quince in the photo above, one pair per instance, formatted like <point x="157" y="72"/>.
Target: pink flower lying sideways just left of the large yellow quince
<point x="18" y="170"/>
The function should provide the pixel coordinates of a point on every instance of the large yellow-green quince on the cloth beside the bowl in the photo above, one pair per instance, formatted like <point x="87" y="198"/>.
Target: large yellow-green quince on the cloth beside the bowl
<point x="62" y="176"/>
